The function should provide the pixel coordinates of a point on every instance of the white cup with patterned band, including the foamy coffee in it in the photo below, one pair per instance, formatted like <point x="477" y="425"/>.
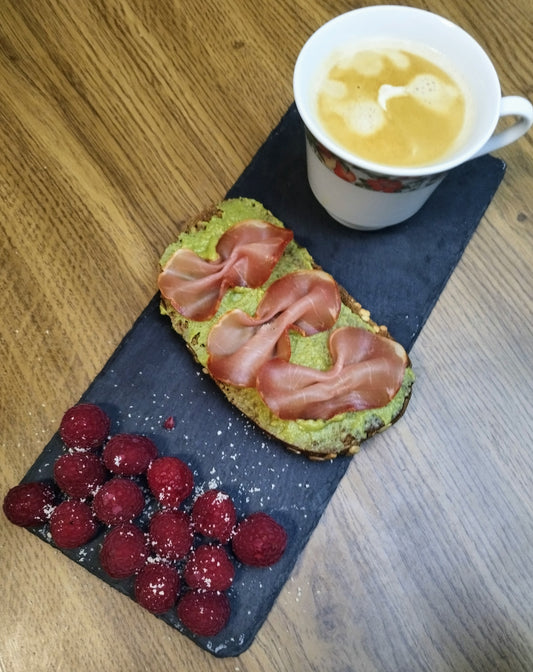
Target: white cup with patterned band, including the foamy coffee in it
<point x="369" y="166"/>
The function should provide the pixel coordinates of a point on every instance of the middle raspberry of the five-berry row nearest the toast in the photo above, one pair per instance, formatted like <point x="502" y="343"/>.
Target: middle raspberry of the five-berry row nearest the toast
<point x="170" y="480"/>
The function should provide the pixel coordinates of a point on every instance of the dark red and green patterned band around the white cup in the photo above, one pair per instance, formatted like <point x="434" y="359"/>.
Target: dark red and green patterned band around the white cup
<point x="368" y="179"/>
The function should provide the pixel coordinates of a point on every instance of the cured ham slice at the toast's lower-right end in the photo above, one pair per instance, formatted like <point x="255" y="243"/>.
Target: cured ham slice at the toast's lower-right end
<point x="367" y="372"/>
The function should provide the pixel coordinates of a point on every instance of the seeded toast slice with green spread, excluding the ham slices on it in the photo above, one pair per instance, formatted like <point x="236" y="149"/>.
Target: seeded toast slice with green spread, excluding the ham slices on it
<point x="320" y="439"/>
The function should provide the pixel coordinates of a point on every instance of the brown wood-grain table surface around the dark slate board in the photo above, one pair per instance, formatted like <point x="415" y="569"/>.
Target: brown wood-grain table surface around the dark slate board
<point x="121" y="119"/>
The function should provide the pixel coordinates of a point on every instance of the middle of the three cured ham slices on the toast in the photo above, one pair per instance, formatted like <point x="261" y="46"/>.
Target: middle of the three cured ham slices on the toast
<point x="239" y="344"/>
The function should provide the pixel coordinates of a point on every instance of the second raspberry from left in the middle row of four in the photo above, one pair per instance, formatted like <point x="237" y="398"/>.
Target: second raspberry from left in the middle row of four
<point x="120" y="500"/>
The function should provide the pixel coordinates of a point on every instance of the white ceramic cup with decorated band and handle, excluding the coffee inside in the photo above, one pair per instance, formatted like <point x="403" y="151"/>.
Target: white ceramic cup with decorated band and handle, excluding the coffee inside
<point x="362" y="194"/>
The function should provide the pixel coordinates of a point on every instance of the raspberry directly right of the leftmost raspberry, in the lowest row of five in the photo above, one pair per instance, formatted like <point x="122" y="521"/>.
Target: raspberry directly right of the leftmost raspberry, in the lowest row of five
<point x="72" y="524"/>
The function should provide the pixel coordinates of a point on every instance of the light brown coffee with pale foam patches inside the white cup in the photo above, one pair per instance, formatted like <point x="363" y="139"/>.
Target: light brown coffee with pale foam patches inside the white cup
<point x="392" y="106"/>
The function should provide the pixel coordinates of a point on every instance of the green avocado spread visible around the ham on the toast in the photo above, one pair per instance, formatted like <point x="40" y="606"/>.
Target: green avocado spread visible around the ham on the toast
<point x="342" y="433"/>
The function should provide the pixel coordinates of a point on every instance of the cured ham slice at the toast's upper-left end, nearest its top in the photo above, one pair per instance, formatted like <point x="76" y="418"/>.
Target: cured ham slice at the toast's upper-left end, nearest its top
<point x="247" y="253"/>
